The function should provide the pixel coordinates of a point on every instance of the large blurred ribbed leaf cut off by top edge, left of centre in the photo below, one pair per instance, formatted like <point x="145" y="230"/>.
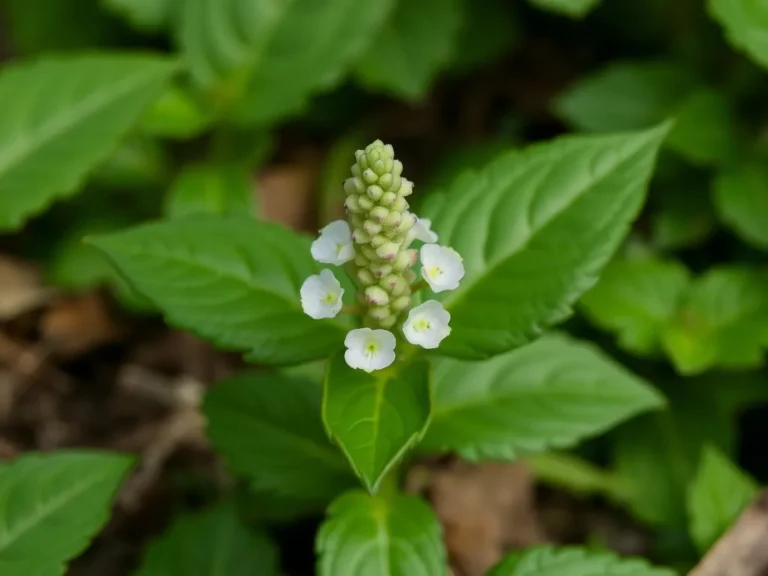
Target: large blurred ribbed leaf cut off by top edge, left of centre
<point x="260" y="61"/>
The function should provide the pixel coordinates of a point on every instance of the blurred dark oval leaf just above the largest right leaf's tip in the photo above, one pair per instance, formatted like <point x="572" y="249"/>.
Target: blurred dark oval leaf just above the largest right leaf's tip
<point x="625" y="96"/>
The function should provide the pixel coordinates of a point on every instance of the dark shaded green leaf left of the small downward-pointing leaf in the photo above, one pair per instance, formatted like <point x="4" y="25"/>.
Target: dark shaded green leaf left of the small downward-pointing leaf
<point x="269" y="429"/>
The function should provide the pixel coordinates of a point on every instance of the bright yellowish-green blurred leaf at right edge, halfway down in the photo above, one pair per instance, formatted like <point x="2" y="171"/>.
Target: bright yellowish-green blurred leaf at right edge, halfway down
<point x="723" y="321"/>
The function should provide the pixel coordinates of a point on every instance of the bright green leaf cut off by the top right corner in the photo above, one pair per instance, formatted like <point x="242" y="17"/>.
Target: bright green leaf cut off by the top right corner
<point x="746" y="25"/>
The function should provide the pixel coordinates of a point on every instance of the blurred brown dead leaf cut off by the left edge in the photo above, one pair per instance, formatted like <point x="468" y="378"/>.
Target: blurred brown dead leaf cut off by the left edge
<point x="21" y="288"/>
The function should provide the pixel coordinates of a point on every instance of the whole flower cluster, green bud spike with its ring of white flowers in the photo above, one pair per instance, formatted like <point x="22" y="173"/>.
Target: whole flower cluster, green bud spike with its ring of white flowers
<point x="376" y="247"/>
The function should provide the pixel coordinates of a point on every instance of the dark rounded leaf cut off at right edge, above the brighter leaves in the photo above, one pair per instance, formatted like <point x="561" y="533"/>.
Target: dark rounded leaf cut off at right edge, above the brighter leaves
<point x="741" y="200"/>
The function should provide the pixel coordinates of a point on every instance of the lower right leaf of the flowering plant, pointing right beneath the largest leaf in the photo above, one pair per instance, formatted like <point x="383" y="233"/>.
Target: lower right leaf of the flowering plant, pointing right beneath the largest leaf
<point x="551" y="393"/>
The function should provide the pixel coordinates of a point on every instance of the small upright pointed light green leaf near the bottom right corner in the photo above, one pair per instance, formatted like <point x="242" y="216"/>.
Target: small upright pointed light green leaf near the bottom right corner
<point x="717" y="496"/>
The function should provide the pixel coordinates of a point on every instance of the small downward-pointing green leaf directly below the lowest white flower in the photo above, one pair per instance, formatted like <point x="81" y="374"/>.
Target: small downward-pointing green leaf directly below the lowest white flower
<point x="375" y="418"/>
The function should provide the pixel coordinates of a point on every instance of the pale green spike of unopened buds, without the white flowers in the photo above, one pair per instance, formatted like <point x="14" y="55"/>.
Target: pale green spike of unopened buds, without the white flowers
<point x="381" y="225"/>
